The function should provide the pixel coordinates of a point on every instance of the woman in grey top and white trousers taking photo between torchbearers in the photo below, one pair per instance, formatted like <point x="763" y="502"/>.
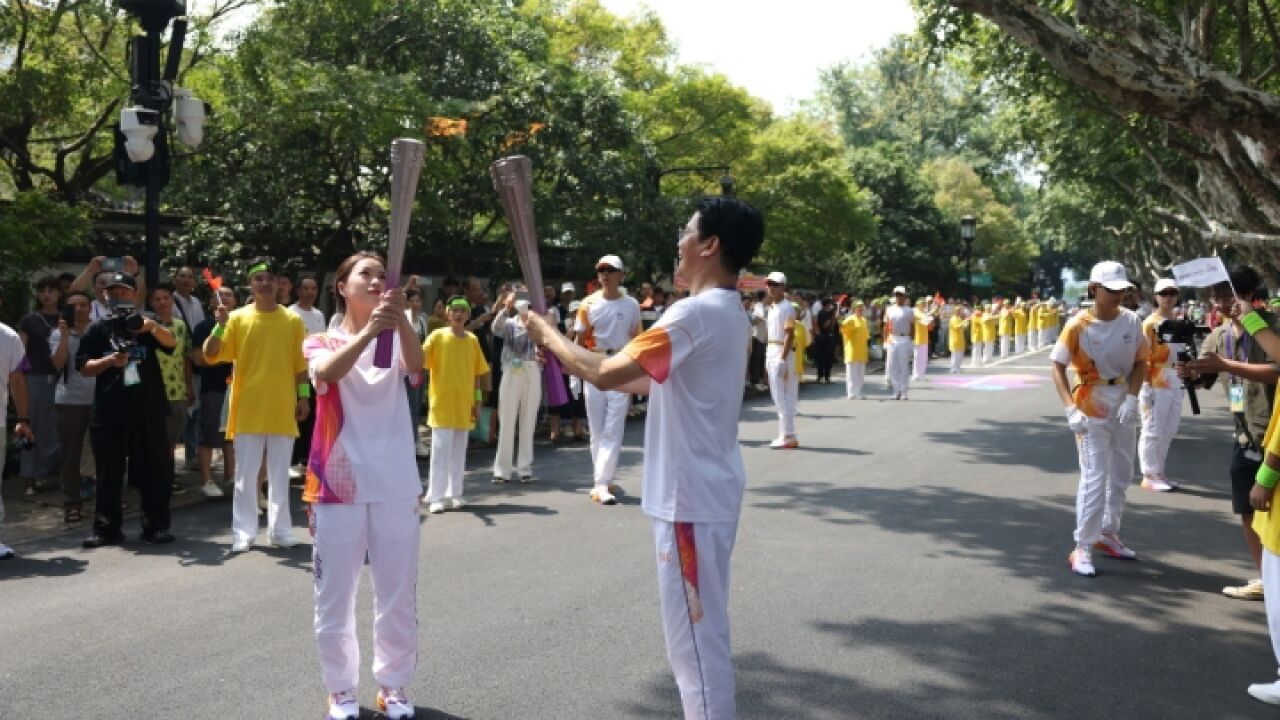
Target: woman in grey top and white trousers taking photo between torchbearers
<point x="520" y="391"/>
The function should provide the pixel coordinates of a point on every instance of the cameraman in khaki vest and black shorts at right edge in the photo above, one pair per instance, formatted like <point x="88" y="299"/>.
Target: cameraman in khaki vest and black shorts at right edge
<point x="1250" y="380"/>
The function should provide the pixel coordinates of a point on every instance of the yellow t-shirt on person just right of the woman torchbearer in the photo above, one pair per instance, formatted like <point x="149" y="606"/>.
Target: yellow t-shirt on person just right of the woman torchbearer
<point x="455" y="363"/>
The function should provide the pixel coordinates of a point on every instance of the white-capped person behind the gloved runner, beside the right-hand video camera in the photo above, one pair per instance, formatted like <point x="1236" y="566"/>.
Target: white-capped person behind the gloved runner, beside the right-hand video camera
<point x="1162" y="399"/>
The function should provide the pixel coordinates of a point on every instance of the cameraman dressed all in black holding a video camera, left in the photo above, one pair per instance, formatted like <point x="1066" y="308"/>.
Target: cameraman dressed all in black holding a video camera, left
<point x="129" y="405"/>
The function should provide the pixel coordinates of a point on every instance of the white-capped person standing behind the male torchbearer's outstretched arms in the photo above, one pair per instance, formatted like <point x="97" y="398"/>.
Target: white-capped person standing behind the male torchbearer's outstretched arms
<point x="607" y="320"/>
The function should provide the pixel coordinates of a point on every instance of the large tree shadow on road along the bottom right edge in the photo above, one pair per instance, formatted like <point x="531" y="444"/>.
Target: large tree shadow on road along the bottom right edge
<point x="1043" y="664"/>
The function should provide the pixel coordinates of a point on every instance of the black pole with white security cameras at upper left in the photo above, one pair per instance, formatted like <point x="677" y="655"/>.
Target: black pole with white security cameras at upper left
<point x="143" y="143"/>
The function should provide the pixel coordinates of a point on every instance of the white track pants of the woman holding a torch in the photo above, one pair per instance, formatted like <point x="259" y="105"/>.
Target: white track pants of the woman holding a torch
<point x="388" y="532"/>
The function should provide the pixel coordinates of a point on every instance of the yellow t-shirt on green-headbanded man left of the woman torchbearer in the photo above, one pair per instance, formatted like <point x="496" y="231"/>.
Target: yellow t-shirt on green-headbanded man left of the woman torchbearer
<point x="267" y="349"/>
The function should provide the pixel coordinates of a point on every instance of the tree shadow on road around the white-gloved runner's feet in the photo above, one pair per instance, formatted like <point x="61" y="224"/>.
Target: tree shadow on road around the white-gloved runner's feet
<point x="1031" y="539"/>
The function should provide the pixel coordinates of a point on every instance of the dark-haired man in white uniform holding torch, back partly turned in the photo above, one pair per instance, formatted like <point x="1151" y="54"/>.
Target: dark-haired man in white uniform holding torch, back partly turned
<point x="692" y="363"/>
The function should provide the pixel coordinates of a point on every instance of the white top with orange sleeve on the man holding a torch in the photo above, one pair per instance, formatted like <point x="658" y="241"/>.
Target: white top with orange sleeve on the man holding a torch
<point x="696" y="357"/>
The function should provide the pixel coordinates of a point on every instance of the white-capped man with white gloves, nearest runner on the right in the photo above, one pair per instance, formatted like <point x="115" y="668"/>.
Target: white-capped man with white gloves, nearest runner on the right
<point x="1108" y="350"/>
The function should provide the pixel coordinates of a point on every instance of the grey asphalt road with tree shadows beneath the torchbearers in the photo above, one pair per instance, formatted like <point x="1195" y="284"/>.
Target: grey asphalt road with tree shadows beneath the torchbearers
<point x="908" y="562"/>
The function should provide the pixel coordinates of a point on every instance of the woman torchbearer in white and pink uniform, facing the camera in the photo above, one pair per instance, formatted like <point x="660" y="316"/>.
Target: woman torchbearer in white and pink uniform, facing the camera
<point x="363" y="486"/>
